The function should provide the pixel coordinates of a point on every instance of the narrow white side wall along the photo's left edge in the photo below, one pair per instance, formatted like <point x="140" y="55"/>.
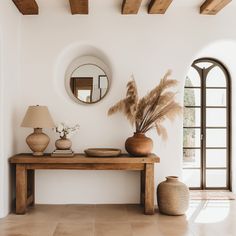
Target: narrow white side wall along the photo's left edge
<point x="9" y="40"/>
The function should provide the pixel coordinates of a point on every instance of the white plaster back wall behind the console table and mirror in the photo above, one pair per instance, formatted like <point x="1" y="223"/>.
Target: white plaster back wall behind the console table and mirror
<point x="143" y="45"/>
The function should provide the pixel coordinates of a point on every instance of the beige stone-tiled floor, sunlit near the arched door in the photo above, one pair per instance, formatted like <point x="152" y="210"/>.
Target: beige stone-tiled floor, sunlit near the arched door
<point x="203" y="218"/>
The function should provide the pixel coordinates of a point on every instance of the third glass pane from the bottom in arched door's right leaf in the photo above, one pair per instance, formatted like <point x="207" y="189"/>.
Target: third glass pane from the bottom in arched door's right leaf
<point x="216" y="137"/>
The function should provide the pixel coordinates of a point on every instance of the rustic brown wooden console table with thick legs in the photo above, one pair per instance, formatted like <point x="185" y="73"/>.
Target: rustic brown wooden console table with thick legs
<point x="26" y="164"/>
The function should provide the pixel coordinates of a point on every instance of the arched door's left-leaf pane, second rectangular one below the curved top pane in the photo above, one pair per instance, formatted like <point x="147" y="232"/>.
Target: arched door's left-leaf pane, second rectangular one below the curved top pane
<point x="192" y="117"/>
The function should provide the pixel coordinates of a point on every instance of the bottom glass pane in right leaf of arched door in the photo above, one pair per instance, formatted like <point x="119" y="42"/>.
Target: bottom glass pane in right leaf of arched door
<point x="216" y="178"/>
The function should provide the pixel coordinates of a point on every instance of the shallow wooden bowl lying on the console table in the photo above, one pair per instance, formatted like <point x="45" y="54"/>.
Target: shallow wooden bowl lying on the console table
<point x="102" y="152"/>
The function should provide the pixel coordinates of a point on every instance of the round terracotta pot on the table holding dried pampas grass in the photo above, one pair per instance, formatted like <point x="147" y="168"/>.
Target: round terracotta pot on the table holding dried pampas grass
<point x="139" y="145"/>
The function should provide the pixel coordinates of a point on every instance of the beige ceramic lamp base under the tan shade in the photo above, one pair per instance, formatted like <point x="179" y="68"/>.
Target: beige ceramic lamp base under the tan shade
<point x="37" y="142"/>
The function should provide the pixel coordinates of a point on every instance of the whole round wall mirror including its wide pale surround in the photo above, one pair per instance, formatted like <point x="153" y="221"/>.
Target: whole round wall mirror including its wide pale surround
<point x="87" y="80"/>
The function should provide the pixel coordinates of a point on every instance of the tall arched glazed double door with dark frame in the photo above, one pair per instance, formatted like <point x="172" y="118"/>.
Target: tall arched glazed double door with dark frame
<point x="207" y="126"/>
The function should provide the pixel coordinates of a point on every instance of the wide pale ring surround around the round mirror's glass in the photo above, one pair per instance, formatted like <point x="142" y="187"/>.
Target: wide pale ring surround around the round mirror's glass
<point x="81" y="61"/>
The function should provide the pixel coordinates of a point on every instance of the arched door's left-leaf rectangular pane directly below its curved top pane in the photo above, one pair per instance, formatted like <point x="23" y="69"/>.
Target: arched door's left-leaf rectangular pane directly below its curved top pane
<point x="192" y="97"/>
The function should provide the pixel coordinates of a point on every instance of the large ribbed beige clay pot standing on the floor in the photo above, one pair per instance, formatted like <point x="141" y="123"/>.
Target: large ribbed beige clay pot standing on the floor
<point x="172" y="196"/>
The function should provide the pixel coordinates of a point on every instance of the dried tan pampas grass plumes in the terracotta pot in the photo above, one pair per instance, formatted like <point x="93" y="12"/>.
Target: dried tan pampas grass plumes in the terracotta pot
<point x="151" y="110"/>
